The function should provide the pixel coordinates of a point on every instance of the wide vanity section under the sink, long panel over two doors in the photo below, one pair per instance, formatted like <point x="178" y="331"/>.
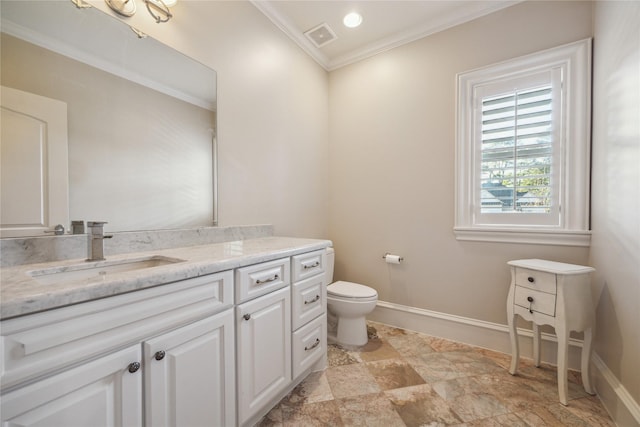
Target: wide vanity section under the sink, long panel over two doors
<point x="95" y="363"/>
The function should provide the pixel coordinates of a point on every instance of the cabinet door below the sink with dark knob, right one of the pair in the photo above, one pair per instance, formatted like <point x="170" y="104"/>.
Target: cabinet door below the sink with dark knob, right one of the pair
<point x="189" y="375"/>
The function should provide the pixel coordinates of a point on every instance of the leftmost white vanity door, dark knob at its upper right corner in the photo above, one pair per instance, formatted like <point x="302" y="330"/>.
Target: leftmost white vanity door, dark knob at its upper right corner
<point x="99" y="393"/>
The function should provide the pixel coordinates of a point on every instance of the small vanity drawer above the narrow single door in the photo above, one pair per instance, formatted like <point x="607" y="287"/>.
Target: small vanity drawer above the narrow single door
<point x="260" y="279"/>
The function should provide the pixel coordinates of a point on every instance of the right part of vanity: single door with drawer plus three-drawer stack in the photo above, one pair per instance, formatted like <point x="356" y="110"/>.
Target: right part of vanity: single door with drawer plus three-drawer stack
<point x="281" y="329"/>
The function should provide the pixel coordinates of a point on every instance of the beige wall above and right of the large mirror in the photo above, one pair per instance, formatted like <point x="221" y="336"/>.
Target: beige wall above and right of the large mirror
<point x="272" y="113"/>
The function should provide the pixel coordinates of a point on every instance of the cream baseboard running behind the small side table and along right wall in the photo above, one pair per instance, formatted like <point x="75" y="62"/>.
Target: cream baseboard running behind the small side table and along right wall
<point x="624" y="410"/>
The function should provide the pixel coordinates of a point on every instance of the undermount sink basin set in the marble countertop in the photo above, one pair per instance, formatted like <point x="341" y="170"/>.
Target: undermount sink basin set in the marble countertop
<point x="98" y="270"/>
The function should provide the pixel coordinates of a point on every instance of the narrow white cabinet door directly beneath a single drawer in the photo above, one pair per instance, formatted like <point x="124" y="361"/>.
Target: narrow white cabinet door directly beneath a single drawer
<point x="264" y="351"/>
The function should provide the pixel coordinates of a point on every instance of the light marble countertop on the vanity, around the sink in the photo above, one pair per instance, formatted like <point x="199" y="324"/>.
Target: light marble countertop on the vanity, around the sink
<point x="23" y="294"/>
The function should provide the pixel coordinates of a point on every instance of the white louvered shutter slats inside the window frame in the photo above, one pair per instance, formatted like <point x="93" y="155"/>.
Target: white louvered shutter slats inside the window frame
<point x="517" y="151"/>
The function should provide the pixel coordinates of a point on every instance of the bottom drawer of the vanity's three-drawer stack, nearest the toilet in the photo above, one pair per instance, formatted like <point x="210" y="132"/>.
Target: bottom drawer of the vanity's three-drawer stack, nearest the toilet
<point x="309" y="345"/>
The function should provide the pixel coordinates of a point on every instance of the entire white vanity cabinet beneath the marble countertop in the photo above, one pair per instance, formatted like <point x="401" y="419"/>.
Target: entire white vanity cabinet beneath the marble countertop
<point x="215" y="350"/>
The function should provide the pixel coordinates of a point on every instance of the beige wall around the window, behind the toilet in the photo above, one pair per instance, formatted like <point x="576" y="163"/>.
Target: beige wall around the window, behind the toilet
<point x="392" y="122"/>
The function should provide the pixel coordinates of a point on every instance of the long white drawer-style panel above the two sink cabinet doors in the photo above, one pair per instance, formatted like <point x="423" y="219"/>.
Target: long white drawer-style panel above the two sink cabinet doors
<point x="41" y="343"/>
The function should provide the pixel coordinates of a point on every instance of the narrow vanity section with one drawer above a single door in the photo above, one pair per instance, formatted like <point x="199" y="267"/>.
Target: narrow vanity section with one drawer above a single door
<point x="263" y="344"/>
